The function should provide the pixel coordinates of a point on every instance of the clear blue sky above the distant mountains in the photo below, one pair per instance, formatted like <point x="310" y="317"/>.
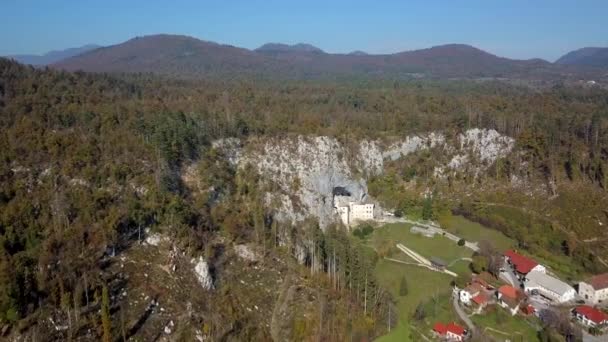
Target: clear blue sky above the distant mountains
<point x="510" y="28"/>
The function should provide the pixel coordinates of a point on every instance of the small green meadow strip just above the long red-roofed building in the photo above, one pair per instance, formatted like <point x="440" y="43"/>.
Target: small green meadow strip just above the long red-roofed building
<point x="473" y="231"/>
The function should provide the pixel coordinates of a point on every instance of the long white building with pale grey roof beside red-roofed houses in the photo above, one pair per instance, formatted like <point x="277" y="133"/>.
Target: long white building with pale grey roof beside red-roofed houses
<point x="549" y="287"/>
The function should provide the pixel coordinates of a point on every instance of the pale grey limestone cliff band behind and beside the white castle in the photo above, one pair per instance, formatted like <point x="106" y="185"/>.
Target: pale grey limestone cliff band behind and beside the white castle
<point x="307" y="169"/>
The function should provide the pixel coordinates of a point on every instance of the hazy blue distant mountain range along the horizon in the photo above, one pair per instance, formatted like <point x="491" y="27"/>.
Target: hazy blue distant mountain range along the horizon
<point x="188" y="57"/>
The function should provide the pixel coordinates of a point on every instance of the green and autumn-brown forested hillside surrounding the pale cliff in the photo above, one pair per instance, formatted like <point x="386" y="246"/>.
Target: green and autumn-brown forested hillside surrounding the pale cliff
<point x="90" y="164"/>
